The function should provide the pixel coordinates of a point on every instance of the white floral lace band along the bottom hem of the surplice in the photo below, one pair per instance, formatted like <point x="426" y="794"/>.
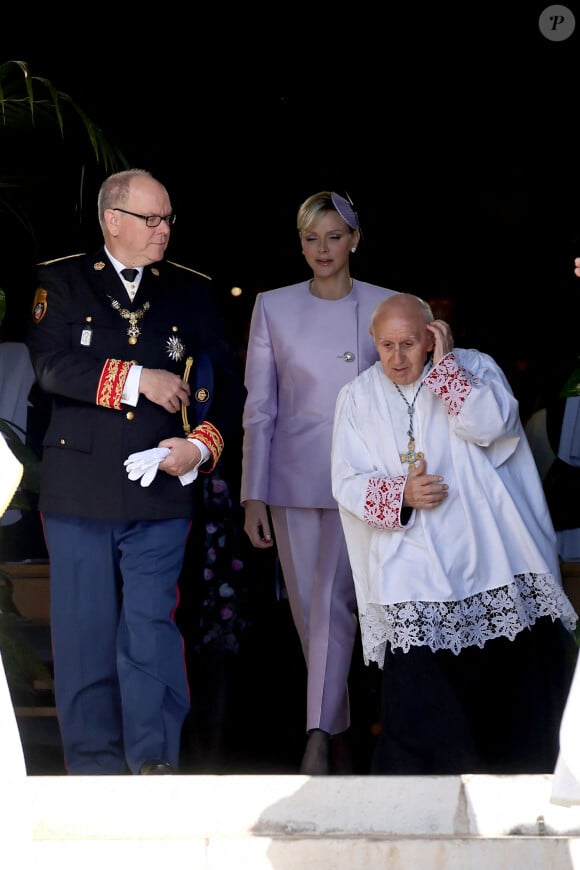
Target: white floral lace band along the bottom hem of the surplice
<point x="454" y="625"/>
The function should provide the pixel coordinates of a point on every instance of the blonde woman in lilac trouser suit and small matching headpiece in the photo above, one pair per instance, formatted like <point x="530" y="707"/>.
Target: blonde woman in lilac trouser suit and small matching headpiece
<point x="305" y="342"/>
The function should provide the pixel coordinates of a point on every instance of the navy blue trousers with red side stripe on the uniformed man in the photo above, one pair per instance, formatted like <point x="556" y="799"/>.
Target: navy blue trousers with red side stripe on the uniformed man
<point x="121" y="685"/>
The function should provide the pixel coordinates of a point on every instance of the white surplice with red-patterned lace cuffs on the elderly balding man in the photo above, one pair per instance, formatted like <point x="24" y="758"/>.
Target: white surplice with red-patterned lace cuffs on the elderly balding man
<point x="484" y="563"/>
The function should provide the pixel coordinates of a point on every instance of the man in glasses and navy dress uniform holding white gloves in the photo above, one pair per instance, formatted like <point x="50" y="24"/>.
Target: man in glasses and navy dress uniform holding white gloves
<point x="114" y="341"/>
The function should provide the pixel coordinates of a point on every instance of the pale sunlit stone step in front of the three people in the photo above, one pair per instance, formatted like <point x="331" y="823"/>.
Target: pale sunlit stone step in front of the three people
<point x="287" y="822"/>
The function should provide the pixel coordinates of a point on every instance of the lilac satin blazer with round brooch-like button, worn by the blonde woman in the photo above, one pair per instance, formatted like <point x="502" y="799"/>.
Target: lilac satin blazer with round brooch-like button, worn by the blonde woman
<point x="301" y="351"/>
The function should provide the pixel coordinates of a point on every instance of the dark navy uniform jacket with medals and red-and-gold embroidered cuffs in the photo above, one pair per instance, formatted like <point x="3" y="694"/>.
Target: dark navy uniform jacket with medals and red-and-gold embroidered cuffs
<point x="77" y="328"/>
